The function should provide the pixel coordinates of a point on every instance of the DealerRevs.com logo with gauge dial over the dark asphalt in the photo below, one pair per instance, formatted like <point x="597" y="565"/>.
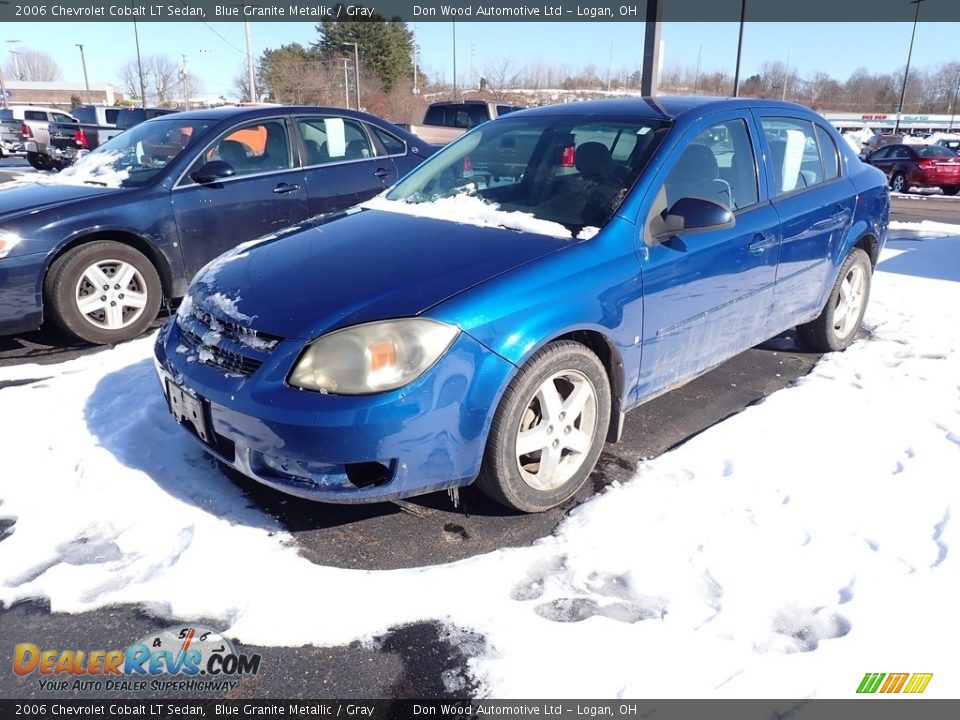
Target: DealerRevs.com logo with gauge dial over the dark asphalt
<point x="190" y="657"/>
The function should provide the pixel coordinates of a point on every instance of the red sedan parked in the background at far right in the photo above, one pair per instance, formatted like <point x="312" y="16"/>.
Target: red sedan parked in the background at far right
<point x="909" y="166"/>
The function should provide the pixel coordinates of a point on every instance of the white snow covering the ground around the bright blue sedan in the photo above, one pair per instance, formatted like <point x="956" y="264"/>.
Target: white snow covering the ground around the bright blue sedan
<point x="784" y="552"/>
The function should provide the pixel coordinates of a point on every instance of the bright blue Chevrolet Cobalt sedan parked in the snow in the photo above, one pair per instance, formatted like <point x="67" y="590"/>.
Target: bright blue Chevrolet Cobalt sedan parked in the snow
<point x="493" y="315"/>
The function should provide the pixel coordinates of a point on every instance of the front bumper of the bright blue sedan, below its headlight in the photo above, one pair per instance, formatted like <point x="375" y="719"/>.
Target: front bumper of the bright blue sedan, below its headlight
<point x="427" y="436"/>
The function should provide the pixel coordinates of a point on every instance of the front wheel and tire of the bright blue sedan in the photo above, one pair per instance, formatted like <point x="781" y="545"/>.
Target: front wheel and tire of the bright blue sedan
<point x="548" y="430"/>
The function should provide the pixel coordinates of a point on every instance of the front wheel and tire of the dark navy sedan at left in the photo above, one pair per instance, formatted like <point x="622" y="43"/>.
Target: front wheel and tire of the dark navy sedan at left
<point x="103" y="292"/>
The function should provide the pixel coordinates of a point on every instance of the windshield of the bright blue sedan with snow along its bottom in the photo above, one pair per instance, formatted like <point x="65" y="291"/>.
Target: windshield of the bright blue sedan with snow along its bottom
<point x="557" y="175"/>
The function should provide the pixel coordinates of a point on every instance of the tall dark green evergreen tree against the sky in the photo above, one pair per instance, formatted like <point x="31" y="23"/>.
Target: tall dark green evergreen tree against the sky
<point x="385" y="47"/>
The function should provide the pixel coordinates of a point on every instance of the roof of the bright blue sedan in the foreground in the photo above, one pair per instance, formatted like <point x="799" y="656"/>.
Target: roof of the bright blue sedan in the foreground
<point x="665" y="107"/>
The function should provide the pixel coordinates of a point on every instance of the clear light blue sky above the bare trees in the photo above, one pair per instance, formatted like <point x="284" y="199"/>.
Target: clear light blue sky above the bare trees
<point x="216" y="51"/>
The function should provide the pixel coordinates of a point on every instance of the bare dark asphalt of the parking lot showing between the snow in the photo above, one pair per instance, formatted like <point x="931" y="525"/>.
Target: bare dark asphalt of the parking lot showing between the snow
<point x="410" y="661"/>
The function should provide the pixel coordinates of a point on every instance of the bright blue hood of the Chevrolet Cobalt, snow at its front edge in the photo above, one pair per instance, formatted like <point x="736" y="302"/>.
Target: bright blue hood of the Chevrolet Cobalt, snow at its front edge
<point x="359" y="267"/>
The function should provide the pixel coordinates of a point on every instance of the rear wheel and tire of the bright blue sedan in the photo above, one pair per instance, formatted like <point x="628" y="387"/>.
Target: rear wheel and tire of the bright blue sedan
<point x="838" y="323"/>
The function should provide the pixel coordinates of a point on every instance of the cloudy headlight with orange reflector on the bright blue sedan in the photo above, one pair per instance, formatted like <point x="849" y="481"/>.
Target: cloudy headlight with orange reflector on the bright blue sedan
<point x="373" y="357"/>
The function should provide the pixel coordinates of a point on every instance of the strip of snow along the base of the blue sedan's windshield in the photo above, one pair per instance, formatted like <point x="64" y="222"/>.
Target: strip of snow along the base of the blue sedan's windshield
<point x="469" y="210"/>
